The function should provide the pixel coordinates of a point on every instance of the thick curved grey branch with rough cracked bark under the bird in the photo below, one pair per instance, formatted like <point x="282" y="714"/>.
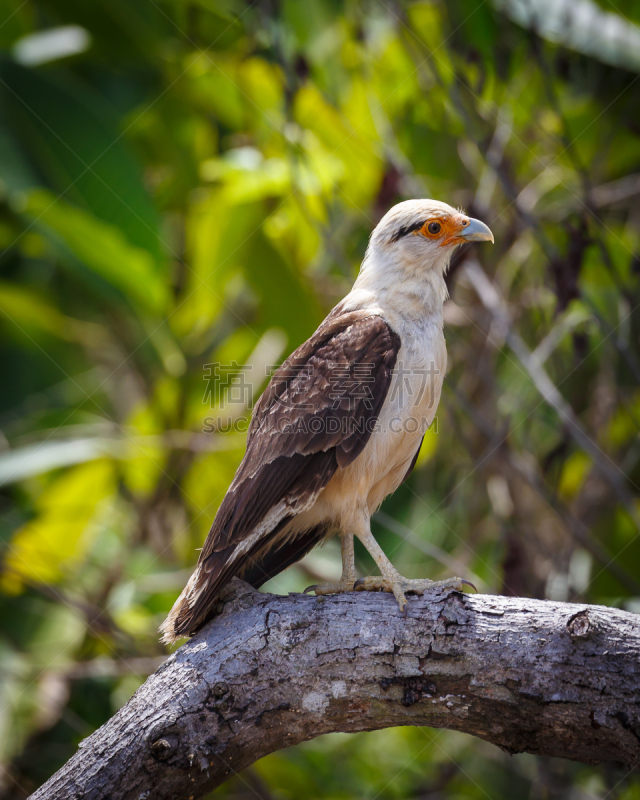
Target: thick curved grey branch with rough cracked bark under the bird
<point x="272" y="671"/>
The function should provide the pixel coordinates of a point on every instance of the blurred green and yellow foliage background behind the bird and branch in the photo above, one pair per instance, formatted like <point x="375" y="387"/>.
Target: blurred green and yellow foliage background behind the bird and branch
<point x="186" y="188"/>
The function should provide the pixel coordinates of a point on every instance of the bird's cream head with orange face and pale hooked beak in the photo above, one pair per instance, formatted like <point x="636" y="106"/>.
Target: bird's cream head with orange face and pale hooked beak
<point x="422" y="234"/>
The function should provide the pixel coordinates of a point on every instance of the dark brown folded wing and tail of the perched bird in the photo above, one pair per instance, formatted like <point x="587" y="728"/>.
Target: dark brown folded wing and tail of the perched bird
<point x="316" y="415"/>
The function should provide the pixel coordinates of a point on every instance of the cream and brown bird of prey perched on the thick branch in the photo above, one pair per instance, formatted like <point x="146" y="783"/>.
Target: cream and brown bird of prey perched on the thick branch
<point x="341" y="422"/>
